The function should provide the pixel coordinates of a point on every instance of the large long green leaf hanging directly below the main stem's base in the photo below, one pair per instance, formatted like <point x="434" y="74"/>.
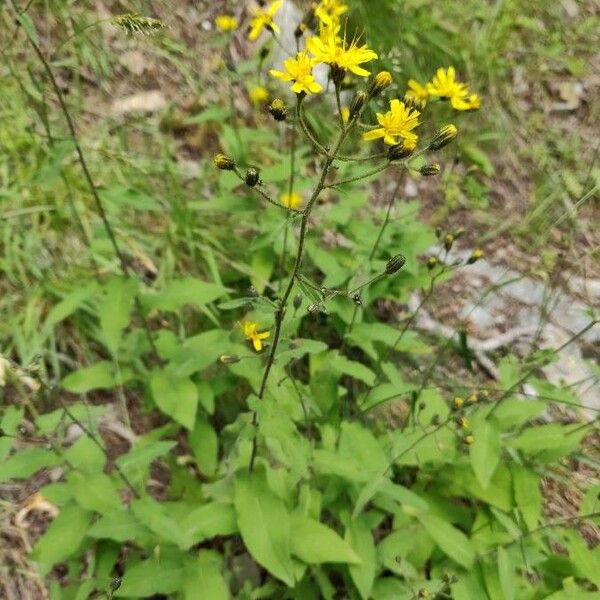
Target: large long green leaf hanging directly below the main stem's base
<point x="264" y="524"/>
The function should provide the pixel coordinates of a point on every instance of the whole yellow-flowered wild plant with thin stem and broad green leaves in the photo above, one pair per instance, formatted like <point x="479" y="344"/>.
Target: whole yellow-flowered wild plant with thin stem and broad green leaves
<point x="303" y="446"/>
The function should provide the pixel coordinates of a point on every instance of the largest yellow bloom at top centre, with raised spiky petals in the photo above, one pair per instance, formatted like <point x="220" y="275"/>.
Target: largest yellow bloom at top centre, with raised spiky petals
<point x="328" y="48"/>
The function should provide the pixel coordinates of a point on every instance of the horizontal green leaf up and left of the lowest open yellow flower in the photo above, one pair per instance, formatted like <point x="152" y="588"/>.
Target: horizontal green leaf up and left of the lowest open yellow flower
<point x="179" y="292"/>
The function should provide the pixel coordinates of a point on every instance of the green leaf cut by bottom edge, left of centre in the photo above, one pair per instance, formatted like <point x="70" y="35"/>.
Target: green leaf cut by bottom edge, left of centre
<point x="149" y="578"/>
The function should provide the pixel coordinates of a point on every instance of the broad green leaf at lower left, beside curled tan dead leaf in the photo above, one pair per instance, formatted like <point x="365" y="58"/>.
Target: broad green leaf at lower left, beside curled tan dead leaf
<point x="63" y="537"/>
